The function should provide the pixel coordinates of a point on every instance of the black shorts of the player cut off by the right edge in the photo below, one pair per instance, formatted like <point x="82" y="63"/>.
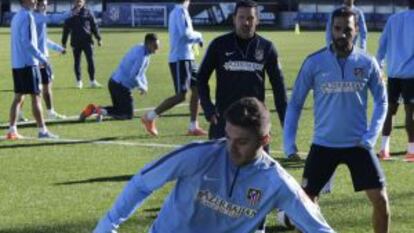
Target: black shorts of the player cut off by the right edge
<point x="400" y="88"/>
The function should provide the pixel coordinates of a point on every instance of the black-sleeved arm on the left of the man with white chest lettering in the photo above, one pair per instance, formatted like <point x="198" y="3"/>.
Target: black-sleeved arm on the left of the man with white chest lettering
<point x="208" y="65"/>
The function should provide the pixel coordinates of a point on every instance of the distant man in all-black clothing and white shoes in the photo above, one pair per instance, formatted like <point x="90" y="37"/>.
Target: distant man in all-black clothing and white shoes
<point x="81" y="27"/>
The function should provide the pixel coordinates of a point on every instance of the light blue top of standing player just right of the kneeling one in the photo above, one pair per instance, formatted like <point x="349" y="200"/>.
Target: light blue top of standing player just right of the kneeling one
<point x="182" y="36"/>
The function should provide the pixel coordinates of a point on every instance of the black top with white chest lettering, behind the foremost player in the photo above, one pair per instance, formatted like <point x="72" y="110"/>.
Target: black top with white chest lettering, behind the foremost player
<point x="240" y="74"/>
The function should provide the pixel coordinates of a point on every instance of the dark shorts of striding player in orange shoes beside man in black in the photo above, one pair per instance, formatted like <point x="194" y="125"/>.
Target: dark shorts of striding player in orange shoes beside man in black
<point x="184" y="74"/>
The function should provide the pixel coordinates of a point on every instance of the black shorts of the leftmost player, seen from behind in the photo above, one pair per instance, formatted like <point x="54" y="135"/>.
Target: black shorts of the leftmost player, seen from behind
<point x="26" y="80"/>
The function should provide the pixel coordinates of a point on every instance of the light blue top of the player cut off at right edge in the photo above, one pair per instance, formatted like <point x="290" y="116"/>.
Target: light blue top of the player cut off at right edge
<point x="397" y="45"/>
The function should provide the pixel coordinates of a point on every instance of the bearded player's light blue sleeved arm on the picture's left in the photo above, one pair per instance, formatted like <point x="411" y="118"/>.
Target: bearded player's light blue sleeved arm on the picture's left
<point x="303" y="84"/>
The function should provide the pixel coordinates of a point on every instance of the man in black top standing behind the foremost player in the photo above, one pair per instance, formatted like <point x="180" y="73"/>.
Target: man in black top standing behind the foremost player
<point x="240" y="59"/>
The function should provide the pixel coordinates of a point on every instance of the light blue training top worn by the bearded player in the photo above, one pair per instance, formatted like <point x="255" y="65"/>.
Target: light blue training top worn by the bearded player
<point x="340" y="93"/>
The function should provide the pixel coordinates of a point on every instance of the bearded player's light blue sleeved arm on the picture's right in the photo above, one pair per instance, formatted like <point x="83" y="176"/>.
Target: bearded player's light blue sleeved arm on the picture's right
<point x="379" y="93"/>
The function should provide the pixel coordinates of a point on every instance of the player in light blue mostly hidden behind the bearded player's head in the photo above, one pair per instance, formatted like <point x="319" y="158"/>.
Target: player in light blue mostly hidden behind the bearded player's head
<point x="362" y="26"/>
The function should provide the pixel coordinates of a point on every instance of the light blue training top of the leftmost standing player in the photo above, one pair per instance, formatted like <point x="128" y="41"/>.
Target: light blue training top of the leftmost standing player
<point x="24" y="42"/>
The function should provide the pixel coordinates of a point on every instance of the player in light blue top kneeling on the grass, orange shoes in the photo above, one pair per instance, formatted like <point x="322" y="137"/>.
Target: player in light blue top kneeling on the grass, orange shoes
<point x="129" y="75"/>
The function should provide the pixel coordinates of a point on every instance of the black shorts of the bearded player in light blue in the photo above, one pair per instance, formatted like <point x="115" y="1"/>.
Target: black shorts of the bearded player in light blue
<point x="364" y="166"/>
